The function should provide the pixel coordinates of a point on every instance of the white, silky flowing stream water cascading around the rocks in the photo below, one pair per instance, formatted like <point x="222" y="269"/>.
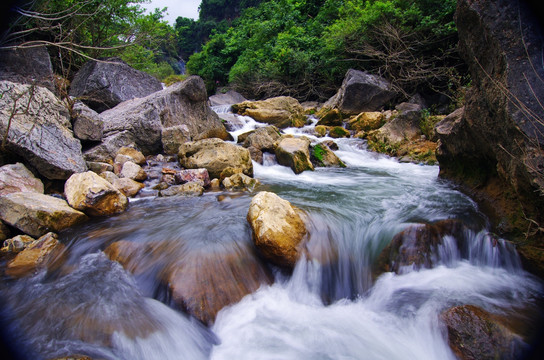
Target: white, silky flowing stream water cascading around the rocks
<point x="333" y="306"/>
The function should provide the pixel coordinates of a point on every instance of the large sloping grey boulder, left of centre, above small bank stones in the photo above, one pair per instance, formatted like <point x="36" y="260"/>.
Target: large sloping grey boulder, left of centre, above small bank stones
<point x="148" y="123"/>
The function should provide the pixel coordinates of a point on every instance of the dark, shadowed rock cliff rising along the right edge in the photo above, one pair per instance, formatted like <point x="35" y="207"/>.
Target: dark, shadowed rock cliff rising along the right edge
<point x="495" y="150"/>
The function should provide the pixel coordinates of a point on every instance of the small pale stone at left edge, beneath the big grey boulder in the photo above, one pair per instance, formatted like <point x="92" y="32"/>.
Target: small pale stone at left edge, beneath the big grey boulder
<point x="17" y="178"/>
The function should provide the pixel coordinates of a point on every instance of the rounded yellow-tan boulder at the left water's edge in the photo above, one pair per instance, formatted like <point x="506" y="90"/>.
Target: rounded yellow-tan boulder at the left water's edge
<point x="94" y="195"/>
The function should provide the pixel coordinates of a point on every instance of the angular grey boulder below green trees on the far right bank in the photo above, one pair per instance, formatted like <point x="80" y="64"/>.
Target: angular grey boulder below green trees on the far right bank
<point x="361" y="91"/>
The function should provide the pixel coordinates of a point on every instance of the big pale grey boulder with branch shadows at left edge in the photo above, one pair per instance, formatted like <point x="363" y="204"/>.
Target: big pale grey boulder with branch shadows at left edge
<point x="39" y="130"/>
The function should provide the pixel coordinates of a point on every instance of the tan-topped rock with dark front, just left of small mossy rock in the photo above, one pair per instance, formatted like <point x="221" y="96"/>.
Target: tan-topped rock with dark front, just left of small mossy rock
<point x="294" y="153"/>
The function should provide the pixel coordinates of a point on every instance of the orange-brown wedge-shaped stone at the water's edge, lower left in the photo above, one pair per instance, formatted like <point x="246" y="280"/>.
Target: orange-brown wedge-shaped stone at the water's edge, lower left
<point x="44" y="252"/>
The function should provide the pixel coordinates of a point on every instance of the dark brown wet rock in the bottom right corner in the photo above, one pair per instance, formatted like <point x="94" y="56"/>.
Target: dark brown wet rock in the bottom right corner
<point x="473" y="334"/>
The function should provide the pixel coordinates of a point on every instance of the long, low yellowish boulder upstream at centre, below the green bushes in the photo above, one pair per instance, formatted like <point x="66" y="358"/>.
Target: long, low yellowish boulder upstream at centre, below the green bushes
<point x="281" y="111"/>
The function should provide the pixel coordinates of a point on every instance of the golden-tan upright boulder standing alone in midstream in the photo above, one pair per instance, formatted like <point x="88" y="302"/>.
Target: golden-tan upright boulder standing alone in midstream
<point x="278" y="228"/>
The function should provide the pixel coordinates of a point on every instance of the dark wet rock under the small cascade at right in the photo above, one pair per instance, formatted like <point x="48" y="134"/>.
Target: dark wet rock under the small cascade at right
<point x="417" y="246"/>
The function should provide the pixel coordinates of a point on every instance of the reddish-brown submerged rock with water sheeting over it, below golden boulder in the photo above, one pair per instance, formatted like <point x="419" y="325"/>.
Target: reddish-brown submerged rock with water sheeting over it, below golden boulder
<point x="229" y="276"/>
